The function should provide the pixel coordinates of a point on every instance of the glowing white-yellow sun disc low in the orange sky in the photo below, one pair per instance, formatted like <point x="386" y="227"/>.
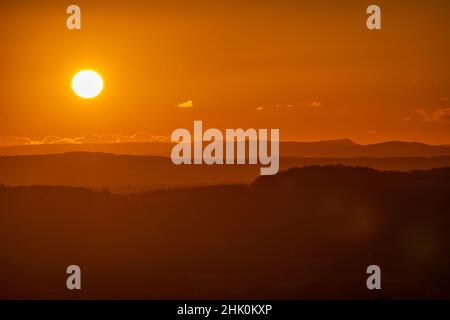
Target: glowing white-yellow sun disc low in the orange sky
<point x="87" y="84"/>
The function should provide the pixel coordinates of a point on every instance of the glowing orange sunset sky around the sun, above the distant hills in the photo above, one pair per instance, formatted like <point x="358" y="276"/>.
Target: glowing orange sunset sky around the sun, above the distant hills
<point x="310" y="68"/>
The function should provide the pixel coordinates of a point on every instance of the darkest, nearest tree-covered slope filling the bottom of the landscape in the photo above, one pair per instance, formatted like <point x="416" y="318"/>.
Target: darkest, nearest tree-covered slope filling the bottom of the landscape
<point x="305" y="233"/>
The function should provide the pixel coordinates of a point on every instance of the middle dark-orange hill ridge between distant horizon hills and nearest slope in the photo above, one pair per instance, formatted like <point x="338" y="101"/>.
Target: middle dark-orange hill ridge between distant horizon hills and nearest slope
<point x="127" y="173"/>
